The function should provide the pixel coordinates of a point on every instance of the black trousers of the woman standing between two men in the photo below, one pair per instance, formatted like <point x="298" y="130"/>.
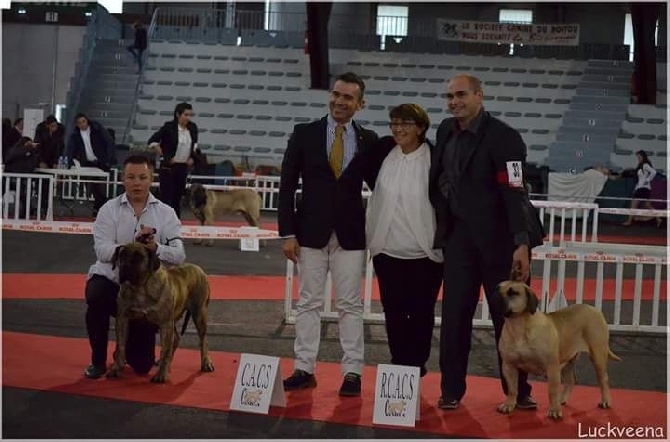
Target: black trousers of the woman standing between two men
<point x="408" y="289"/>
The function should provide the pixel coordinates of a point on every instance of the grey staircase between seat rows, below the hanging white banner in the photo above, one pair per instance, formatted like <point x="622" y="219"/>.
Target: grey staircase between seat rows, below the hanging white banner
<point x="587" y="136"/>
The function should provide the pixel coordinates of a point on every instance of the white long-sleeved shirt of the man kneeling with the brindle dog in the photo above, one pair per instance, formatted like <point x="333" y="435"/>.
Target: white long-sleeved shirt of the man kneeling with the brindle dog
<point x="116" y="225"/>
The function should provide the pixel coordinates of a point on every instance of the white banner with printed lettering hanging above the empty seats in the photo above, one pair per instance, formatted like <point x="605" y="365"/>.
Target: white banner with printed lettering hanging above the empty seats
<point x="508" y="33"/>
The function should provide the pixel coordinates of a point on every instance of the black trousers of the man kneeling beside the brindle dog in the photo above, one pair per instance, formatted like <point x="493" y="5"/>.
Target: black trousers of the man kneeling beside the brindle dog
<point x="101" y="296"/>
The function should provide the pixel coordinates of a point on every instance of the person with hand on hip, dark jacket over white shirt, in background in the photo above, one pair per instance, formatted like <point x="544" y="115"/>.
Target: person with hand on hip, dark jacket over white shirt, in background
<point x="176" y="143"/>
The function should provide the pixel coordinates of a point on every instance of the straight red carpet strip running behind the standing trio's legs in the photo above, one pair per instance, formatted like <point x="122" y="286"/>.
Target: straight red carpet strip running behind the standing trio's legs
<point x="241" y="287"/>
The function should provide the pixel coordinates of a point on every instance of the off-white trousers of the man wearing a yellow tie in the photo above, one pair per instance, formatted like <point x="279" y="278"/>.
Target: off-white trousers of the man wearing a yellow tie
<point x="346" y="267"/>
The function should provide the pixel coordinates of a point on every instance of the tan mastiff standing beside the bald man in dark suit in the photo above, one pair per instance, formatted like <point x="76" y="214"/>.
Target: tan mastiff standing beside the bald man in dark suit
<point x="549" y="344"/>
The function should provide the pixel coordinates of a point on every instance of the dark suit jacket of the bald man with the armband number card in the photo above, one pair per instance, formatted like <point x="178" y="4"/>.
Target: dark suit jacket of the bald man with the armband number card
<point x="492" y="209"/>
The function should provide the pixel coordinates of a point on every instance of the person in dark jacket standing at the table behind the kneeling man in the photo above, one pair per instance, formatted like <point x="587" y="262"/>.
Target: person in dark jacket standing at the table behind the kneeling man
<point x="91" y="145"/>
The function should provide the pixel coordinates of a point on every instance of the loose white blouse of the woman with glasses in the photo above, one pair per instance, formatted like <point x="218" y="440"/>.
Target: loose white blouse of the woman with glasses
<point x="400" y="219"/>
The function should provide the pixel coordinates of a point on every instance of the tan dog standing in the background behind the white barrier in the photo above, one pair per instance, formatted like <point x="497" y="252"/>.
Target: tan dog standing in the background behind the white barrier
<point x="206" y="204"/>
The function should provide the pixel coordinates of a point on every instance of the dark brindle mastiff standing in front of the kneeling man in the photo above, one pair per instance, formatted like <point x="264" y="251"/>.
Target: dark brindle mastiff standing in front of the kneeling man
<point x="161" y="295"/>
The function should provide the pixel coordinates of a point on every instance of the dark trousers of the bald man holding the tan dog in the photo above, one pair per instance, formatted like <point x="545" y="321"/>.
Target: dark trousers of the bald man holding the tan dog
<point x="466" y="269"/>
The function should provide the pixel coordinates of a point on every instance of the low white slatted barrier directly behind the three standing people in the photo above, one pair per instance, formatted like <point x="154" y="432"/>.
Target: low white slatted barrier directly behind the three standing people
<point x="619" y="256"/>
